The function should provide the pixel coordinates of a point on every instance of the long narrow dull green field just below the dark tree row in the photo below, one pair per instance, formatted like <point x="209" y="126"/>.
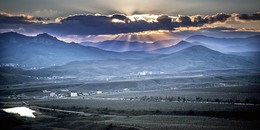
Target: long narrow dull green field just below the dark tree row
<point x="142" y="105"/>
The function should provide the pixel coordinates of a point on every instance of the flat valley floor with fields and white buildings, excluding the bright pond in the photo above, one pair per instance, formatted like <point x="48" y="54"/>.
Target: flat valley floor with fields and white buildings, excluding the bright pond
<point x="210" y="103"/>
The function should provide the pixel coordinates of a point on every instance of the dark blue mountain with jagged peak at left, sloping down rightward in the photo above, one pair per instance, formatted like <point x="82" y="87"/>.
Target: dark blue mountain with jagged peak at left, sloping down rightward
<point x="45" y="50"/>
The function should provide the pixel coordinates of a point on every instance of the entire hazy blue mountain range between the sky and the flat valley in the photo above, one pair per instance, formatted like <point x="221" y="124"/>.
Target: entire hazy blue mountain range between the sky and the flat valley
<point x="59" y="58"/>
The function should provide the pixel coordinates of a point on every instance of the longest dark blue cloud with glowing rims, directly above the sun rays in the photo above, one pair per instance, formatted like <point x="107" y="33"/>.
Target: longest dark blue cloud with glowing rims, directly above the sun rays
<point x="103" y="24"/>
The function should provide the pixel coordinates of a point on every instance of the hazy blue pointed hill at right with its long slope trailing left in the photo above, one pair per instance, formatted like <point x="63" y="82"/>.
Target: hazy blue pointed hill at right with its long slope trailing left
<point x="194" y="58"/>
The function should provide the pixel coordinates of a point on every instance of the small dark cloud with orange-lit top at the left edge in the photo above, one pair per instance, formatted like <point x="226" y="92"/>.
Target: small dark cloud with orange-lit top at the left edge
<point x="19" y="19"/>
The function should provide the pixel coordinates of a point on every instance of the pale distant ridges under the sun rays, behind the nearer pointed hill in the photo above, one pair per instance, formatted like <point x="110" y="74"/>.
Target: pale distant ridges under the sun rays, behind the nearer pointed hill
<point x="225" y="45"/>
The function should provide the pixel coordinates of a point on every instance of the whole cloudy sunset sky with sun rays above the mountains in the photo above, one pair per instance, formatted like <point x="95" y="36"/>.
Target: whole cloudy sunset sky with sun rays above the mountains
<point x="149" y="20"/>
